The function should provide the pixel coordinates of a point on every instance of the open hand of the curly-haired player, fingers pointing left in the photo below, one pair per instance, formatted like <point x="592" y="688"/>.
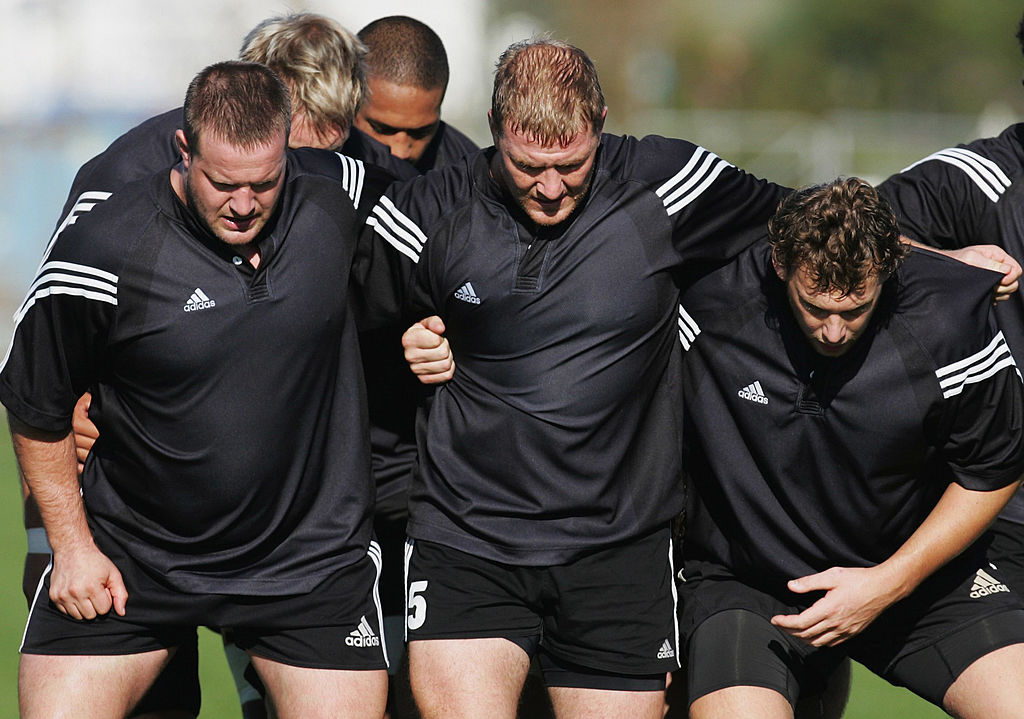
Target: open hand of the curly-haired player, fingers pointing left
<point x="855" y="598"/>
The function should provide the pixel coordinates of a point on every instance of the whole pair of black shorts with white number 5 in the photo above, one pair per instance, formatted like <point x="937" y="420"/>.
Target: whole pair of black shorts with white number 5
<point x="609" y="614"/>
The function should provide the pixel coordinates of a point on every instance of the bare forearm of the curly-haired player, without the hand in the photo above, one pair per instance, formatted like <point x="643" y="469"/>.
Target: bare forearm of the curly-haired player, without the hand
<point x="953" y="526"/>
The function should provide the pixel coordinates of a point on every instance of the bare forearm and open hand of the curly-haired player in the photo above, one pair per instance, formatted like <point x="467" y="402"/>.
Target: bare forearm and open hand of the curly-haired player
<point x="856" y="597"/>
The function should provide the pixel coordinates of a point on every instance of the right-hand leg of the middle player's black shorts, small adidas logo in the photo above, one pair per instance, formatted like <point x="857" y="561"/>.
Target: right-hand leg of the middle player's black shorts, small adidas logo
<point x="616" y="611"/>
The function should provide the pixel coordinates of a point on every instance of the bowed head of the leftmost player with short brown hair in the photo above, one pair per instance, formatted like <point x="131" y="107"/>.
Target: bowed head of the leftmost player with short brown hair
<point x="234" y="149"/>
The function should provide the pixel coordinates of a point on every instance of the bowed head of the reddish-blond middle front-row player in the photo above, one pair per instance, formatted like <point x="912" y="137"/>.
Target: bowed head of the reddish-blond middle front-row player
<point x="546" y="118"/>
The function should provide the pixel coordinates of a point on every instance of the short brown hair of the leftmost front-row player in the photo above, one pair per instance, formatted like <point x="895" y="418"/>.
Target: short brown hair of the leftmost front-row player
<point x="244" y="104"/>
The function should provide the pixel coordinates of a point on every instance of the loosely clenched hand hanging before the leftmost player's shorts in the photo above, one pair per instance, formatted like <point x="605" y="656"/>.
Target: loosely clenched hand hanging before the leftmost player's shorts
<point x="86" y="584"/>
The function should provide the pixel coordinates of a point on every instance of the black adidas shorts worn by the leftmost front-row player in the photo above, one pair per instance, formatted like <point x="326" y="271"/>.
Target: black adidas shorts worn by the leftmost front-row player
<point x="336" y="626"/>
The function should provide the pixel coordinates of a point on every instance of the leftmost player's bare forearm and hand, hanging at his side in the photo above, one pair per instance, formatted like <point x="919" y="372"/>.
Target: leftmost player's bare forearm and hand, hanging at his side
<point x="84" y="582"/>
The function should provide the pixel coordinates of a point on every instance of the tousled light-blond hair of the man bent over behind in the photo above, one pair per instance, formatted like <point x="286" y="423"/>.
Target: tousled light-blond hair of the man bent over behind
<point x="321" y="63"/>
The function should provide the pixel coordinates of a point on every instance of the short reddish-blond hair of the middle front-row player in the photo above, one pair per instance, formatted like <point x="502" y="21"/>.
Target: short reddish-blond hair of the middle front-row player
<point x="547" y="91"/>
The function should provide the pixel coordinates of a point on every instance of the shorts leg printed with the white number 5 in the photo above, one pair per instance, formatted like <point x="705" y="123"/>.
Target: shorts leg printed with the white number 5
<point x="454" y="596"/>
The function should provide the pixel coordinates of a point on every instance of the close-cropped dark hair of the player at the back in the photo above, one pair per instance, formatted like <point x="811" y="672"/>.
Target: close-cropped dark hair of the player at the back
<point x="405" y="52"/>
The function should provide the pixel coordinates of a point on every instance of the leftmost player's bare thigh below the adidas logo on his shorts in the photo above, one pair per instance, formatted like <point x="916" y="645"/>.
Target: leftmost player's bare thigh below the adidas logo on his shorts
<point x="302" y="693"/>
